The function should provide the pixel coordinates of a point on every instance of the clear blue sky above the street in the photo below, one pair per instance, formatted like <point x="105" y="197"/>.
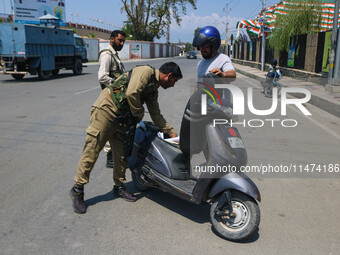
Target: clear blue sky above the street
<point x="208" y="12"/>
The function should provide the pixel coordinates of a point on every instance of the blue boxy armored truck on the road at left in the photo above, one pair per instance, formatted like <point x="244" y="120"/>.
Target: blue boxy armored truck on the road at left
<point x="39" y="50"/>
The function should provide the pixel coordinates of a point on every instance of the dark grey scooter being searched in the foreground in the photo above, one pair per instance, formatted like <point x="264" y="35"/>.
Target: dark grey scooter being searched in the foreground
<point x="157" y="163"/>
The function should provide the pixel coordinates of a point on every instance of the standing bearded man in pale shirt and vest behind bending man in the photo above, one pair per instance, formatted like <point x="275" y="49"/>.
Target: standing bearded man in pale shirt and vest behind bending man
<point x="111" y="67"/>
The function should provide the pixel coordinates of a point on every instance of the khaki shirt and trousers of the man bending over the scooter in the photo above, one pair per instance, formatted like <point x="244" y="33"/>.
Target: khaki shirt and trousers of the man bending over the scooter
<point x="104" y="125"/>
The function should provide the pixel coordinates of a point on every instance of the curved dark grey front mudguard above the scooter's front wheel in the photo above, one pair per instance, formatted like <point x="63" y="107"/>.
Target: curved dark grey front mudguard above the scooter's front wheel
<point x="236" y="181"/>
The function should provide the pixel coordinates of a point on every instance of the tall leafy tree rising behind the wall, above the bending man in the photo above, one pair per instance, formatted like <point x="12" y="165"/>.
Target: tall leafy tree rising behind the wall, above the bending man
<point x="151" y="18"/>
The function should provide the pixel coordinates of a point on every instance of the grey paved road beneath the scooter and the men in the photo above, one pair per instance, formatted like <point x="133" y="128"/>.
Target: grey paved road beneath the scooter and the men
<point x="43" y="124"/>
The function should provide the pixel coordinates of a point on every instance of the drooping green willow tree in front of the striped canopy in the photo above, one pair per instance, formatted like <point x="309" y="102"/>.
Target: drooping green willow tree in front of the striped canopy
<point x="302" y="18"/>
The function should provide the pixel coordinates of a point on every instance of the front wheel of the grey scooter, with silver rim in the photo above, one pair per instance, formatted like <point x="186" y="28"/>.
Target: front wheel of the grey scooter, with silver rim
<point x="243" y="221"/>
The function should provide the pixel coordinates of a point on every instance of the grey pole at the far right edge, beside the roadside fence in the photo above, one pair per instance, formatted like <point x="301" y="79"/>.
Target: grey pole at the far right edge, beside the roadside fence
<point x="333" y="74"/>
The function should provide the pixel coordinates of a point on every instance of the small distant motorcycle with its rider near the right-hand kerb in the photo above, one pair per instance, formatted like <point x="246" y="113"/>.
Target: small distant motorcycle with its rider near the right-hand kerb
<point x="272" y="78"/>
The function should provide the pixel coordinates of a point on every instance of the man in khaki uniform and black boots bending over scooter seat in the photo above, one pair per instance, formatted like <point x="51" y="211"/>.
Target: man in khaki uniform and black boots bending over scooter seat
<point x="113" y="118"/>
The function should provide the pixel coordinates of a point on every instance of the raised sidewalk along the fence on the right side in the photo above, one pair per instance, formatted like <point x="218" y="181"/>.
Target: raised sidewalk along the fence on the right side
<point x="327" y="101"/>
